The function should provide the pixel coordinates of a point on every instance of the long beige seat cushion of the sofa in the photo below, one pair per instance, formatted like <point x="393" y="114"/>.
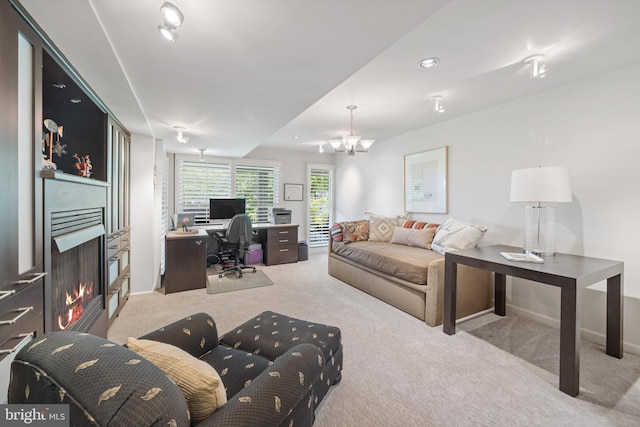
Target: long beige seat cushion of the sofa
<point x="403" y="262"/>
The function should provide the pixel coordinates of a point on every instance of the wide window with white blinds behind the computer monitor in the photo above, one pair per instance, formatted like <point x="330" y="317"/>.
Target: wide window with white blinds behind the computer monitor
<point x="198" y="181"/>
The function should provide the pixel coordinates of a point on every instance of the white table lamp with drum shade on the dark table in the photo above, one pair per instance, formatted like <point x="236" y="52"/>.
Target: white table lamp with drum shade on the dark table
<point x="540" y="185"/>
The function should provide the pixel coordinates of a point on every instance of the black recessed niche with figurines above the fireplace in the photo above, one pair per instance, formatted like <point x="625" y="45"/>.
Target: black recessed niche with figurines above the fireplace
<point x="83" y="124"/>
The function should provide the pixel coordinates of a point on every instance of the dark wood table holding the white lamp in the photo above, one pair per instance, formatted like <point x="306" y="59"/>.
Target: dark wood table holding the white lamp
<point x="571" y="273"/>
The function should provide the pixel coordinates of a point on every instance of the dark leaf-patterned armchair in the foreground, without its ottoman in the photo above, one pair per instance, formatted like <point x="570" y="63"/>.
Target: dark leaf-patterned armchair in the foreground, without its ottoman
<point x="107" y="384"/>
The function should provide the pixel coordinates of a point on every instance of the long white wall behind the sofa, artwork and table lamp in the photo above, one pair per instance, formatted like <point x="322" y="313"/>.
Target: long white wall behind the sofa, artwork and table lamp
<point x="591" y="126"/>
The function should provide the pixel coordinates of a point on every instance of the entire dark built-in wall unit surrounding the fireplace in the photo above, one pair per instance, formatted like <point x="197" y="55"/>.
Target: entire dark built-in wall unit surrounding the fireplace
<point x="38" y="83"/>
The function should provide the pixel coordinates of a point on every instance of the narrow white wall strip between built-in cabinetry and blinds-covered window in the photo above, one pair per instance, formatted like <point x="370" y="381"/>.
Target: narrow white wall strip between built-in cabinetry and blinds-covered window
<point x="145" y="244"/>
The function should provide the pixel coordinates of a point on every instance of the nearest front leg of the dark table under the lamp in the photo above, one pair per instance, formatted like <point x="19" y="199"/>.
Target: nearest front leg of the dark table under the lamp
<point x="569" y="340"/>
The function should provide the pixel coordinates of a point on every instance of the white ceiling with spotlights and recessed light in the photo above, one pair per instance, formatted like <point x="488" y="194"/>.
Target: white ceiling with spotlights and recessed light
<point x="246" y="73"/>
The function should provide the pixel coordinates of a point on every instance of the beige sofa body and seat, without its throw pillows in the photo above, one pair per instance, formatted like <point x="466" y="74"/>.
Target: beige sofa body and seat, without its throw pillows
<point x="409" y="278"/>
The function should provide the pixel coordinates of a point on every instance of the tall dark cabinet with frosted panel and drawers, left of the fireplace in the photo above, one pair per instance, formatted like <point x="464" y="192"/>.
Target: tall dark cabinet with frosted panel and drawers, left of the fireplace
<point x="21" y="246"/>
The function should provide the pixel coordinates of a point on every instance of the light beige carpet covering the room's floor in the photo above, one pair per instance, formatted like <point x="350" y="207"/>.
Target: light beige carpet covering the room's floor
<point x="400" y="372"/>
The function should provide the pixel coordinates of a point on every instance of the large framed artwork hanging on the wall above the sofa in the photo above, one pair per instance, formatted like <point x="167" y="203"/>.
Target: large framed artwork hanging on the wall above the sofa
<point x="425" y="181"/>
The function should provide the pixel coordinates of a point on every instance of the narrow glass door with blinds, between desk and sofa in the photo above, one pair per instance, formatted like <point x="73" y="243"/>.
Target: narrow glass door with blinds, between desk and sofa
<point x="320" y="212"/>
